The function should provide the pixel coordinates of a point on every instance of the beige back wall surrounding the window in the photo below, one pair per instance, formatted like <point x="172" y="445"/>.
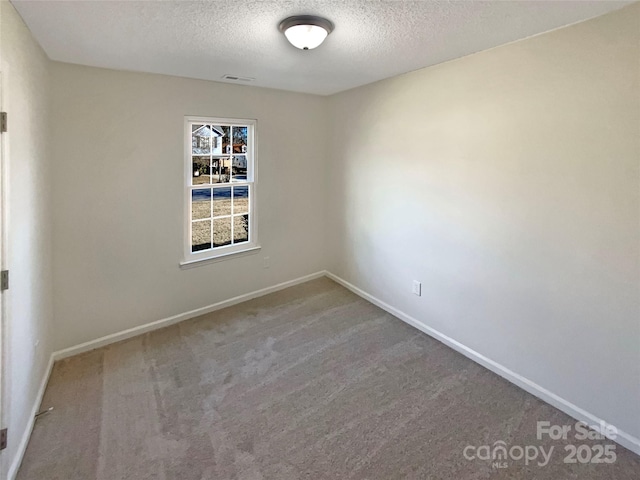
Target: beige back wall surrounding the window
<point x="118" y="196"/>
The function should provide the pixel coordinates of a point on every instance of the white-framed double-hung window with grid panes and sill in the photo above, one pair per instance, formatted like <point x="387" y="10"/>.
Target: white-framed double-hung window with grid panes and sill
<point x="220" y="187"/>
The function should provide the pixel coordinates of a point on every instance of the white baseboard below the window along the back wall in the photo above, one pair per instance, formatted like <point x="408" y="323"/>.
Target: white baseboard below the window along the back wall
<point x="165" y="322"/>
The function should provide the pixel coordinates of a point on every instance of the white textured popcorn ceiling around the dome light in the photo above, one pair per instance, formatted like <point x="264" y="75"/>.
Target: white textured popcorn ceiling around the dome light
<point x="372" y="39"/>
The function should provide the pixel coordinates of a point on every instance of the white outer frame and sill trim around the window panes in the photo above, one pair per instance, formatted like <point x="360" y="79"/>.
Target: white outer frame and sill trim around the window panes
<point x="190" y="258"/>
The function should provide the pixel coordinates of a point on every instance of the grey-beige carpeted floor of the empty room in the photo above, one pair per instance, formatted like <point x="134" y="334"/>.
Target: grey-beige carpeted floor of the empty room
<point x="308" y="383"/>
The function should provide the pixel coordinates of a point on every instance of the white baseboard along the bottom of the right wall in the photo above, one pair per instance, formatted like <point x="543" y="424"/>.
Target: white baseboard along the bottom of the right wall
<point x="626" y="440"/>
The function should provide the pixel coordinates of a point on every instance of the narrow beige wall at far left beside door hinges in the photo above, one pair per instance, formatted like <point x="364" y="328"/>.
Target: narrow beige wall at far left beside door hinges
<point x="28" y="342"/>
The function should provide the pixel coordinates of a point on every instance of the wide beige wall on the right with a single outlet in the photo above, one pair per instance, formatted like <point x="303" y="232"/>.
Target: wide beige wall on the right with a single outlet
<point x="507" y="183"/>
